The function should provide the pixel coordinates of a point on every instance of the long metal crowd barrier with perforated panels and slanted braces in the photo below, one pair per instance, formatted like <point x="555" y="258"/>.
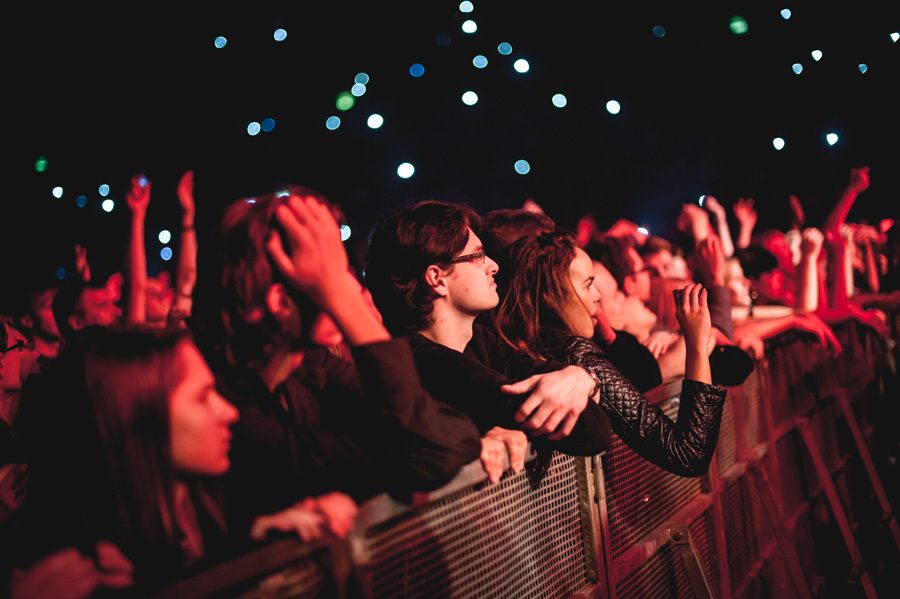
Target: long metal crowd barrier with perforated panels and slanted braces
<point x="617" y="526"/>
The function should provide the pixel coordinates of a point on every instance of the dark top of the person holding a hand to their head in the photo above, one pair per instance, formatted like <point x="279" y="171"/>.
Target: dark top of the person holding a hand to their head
<point x="362" y="429"/>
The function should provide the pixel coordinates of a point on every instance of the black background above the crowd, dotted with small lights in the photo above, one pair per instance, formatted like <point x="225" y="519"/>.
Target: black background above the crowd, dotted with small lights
<point x="104" y="95"/>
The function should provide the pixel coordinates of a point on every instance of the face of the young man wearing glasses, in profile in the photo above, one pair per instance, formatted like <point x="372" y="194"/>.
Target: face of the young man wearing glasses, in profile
<point x="470" y="282"/>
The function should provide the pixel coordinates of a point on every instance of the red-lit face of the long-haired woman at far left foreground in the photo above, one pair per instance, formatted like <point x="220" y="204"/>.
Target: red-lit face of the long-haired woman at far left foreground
<point x="199" y="418"/>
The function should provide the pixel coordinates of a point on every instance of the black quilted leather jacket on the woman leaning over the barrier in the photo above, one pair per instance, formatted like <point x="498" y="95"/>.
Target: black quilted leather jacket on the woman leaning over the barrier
<point x="684" y="447"/>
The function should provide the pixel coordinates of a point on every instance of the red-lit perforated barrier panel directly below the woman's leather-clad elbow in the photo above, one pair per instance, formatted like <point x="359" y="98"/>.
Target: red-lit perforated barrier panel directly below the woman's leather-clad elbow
<point x="640" y="495"/>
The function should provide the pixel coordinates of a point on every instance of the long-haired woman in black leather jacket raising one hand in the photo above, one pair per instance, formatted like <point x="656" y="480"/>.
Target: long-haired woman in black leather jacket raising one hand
<point x="550" y="311"/>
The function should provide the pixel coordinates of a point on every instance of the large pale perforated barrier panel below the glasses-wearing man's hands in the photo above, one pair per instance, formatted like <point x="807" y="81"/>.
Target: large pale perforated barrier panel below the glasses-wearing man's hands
<point x="524" y="537"/>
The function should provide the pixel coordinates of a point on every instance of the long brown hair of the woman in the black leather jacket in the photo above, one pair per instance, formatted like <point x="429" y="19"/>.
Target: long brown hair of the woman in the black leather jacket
<point x="538" y="289"/>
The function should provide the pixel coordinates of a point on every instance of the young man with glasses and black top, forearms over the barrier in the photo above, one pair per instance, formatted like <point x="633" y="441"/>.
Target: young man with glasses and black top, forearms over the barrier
<point x="430" y="279"/>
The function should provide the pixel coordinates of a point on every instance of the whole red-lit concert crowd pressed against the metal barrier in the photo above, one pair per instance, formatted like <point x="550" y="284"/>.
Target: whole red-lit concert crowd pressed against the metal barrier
<point x="153" y="425"/>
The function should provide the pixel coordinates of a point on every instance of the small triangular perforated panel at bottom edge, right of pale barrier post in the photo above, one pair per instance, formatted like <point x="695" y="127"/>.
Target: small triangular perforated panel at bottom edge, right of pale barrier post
<point x="661" y="576"/>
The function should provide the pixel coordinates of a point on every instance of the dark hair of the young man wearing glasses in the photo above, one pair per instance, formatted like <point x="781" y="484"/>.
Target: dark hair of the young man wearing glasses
<point x="402" y="246"/>
